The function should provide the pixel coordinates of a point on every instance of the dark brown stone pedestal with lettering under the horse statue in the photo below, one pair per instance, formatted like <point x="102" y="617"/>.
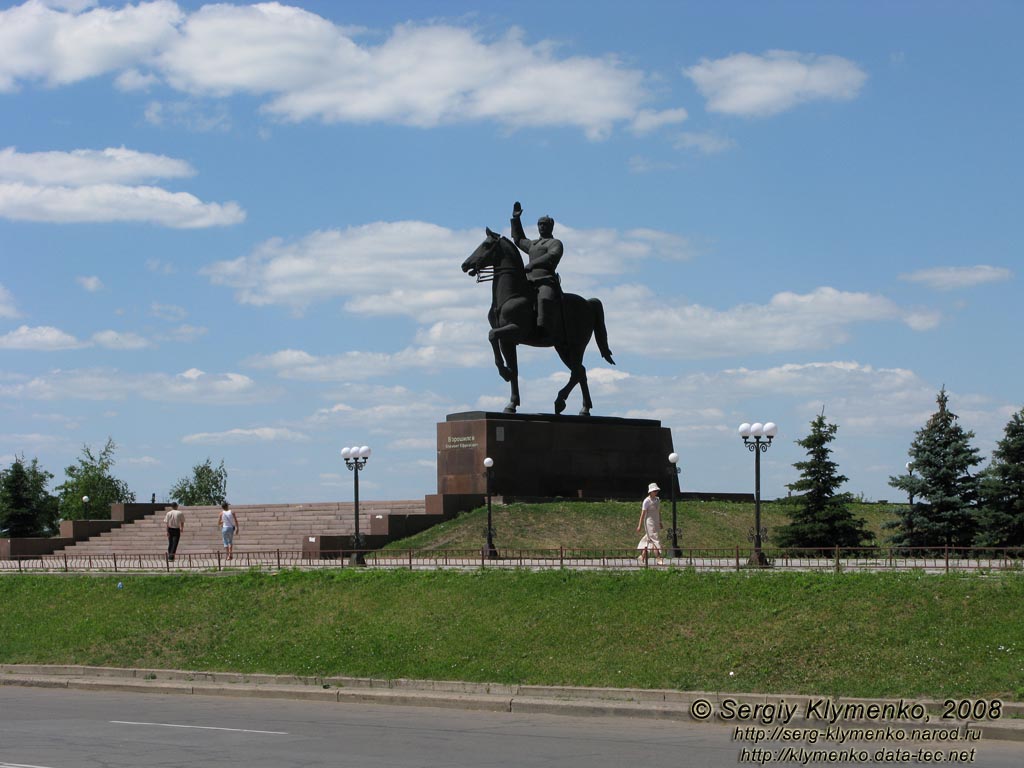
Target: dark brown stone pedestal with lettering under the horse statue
<point x="547" y="456"/>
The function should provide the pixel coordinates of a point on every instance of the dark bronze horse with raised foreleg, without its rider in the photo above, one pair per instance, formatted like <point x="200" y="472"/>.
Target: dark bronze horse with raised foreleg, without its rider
<point x="514" y="320"/>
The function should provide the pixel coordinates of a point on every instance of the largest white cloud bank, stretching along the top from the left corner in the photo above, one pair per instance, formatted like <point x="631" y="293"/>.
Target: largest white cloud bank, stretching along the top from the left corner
<point x="310" y="68"/>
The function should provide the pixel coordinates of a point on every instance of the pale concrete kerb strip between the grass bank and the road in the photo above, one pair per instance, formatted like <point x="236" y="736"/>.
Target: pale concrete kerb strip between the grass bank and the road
<point x="760" y="711"/>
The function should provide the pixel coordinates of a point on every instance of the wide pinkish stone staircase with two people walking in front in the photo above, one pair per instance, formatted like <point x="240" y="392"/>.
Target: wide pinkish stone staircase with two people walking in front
<point x="263" y="528"/>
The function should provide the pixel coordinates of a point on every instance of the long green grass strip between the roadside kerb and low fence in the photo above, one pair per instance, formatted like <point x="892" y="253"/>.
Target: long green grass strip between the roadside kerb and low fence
<point x="852" y="635"/>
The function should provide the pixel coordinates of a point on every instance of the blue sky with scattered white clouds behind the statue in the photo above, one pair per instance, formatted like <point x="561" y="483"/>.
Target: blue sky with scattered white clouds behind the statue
<point x="235" y="231"/>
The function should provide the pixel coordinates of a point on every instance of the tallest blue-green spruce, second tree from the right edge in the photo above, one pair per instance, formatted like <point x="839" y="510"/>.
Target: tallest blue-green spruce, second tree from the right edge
<point x="946" y="493"/>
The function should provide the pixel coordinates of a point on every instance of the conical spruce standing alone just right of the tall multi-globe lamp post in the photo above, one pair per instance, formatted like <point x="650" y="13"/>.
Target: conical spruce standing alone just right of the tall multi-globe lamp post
<point x="822" y="518"/>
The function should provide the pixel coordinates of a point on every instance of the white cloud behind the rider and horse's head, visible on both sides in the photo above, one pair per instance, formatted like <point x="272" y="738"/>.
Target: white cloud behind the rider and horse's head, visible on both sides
<point x="418" y="266"/>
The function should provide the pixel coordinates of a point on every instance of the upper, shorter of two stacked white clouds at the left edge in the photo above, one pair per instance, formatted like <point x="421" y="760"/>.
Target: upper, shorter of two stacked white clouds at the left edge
<point x="88" y="167"/>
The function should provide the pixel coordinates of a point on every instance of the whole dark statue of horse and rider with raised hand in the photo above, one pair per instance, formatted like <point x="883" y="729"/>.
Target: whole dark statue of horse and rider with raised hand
<point x="528" y="307"/>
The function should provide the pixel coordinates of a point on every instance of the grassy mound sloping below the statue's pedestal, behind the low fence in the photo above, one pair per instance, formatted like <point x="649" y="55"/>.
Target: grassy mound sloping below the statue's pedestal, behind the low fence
<point x="613" y="526"/>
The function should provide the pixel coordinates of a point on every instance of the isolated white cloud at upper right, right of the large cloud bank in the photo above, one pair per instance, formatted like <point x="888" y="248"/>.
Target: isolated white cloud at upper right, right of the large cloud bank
<point x="759" y="87"/>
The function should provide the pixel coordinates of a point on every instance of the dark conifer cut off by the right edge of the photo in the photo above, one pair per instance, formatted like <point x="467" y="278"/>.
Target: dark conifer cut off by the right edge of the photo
<point x="1001" y="520"/>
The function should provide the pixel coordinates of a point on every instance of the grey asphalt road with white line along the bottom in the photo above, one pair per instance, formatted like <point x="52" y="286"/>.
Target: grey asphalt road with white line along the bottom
<point x="48" y="729"/>
